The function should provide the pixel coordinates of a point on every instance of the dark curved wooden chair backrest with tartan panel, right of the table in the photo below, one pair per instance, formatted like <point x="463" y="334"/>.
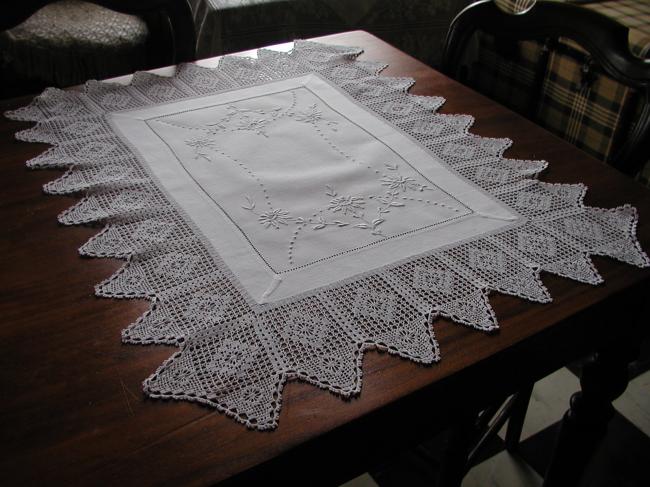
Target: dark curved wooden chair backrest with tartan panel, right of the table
<point x="562" y="60"/>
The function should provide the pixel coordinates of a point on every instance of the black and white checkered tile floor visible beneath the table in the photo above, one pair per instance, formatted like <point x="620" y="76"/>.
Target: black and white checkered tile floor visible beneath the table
<point x="622" y="459"/>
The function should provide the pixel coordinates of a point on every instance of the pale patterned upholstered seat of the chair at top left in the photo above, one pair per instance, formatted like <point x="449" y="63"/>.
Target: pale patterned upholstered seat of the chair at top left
<point x="69" y="41"/>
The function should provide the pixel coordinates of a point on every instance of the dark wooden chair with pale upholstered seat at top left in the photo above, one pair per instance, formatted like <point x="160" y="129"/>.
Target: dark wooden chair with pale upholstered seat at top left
<point x="66" y="42"/>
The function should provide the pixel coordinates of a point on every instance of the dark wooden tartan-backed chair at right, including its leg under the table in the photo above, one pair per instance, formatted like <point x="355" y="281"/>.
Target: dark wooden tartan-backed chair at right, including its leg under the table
<point x="552" y="48"/>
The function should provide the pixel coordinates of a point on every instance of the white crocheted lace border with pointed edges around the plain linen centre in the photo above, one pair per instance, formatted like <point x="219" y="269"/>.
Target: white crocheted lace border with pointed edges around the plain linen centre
<point x="235" y="354"/>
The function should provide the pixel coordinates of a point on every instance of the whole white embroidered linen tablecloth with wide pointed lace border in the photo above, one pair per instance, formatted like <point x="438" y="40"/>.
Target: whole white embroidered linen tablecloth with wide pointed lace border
<point x="284" y="214"/>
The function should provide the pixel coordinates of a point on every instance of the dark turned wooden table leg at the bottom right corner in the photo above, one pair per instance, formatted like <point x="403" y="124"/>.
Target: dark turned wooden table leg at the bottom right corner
<point x="603" y="379"/>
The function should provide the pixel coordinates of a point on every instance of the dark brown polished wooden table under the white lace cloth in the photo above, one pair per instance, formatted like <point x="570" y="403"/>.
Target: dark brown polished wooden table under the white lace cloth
<point x="72" y="409"/>
